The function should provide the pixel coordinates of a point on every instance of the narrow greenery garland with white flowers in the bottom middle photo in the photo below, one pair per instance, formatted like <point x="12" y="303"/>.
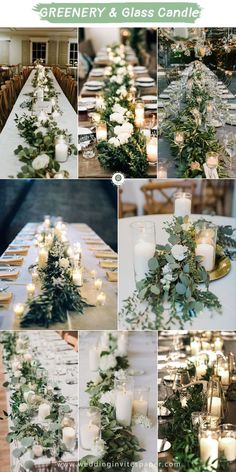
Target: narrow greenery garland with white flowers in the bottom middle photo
<point x="120" y="448"/>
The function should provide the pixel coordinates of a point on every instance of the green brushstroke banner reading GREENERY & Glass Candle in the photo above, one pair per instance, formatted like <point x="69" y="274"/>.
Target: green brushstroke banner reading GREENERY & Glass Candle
<point x="174" y="12"/>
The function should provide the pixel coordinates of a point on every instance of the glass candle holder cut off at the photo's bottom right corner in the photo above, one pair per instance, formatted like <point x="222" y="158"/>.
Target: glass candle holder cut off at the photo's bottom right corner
<point x="227" y="442"/>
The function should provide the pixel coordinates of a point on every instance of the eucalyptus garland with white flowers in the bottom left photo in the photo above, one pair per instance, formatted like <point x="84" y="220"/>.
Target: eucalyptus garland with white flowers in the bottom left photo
<point x="27" y="434"/>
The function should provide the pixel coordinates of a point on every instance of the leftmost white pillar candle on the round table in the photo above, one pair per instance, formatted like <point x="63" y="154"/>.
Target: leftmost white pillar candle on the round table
<point x="143" y="251"/>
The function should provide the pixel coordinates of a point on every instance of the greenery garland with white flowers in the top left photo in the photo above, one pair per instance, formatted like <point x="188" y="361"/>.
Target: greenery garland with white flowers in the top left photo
<point x="38" y="155"/>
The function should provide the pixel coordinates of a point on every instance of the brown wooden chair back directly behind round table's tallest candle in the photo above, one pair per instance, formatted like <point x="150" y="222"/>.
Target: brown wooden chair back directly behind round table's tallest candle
<point x="166" y="191"/>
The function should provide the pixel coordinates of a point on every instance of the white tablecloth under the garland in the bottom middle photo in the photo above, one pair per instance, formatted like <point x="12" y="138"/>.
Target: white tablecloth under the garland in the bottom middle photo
<point x="142" y="356"/>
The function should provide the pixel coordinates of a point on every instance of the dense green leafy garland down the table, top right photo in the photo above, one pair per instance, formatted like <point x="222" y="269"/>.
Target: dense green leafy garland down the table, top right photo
<point x="192" y="120"/>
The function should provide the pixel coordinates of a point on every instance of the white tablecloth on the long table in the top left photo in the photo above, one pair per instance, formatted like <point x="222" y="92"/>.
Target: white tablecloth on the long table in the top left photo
<point x="10" y="139"/>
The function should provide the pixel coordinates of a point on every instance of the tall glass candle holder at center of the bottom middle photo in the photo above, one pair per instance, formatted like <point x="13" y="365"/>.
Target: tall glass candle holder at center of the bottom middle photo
<point x="124" y="400"/>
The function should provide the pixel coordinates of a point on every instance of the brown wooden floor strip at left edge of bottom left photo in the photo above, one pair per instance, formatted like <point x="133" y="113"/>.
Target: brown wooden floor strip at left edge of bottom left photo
<point x="4" y="446"/>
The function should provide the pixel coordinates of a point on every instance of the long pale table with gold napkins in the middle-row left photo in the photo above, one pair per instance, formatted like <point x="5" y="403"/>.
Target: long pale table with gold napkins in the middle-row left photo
<point x="94" y="317"/>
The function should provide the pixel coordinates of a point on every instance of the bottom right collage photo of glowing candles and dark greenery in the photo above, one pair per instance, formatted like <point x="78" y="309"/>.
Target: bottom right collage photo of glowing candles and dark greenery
<point x="196" y="401"/>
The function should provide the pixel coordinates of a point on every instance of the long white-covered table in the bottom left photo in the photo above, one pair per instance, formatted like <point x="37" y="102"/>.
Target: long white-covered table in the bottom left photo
<point x="56" y="365"/>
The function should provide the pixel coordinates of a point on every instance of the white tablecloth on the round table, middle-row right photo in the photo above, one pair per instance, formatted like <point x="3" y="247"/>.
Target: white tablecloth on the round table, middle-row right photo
<point x="224" y="288"/>
